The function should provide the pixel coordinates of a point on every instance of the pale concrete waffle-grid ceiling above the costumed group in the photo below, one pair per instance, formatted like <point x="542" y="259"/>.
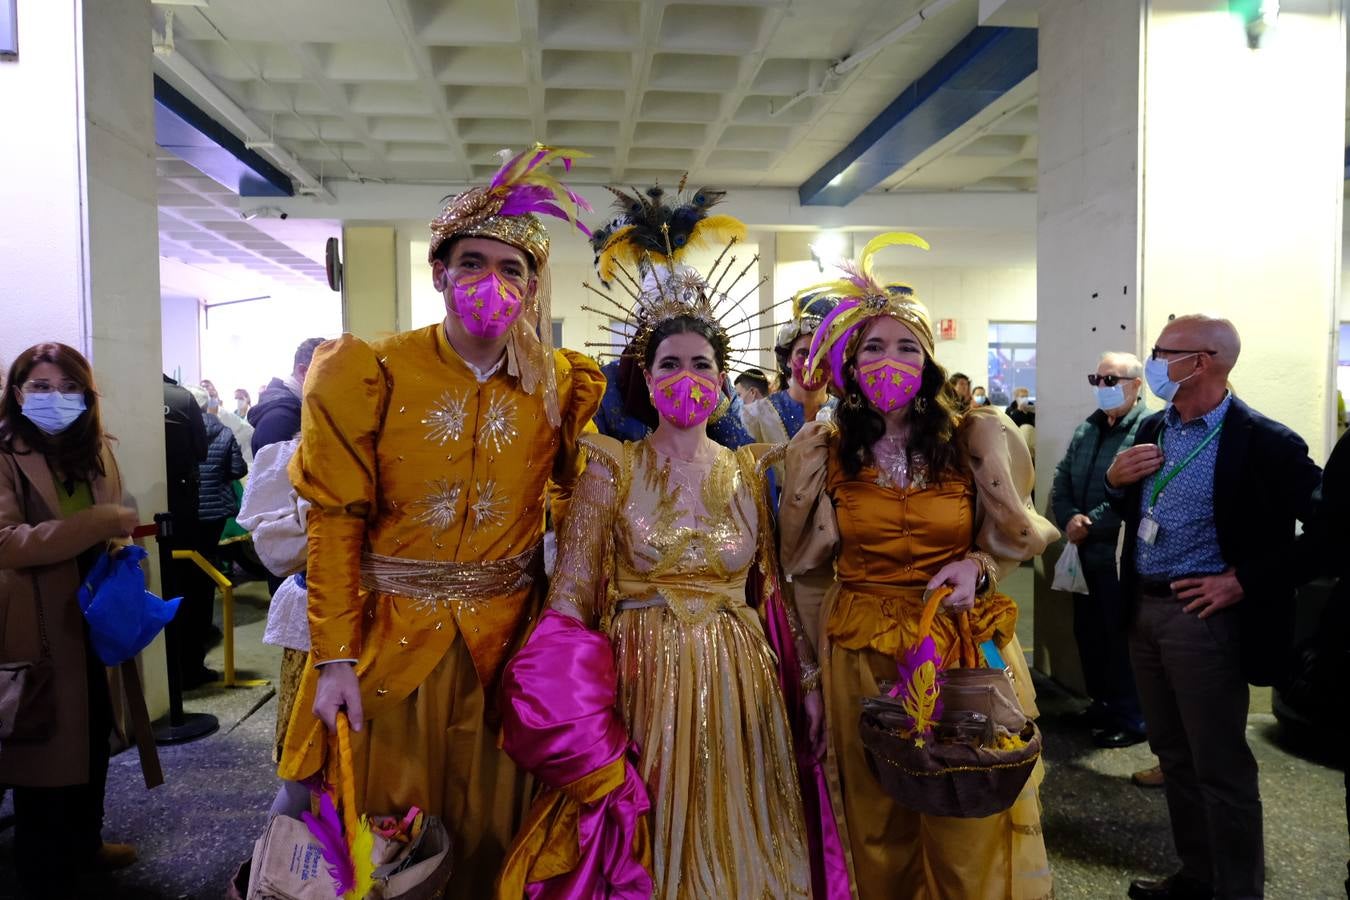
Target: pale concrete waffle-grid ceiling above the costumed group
<point x="430" y="91"/>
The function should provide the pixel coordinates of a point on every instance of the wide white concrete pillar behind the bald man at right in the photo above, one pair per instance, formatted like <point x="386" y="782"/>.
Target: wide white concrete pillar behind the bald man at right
<point x="1182" y="171"/>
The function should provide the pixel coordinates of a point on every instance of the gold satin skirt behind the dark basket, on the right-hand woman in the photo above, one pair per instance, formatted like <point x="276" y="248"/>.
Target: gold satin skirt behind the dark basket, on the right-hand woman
<point x="896" y="852"/>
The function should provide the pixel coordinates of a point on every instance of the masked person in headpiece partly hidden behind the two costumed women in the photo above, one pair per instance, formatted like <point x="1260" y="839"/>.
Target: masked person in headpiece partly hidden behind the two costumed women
<point x="778" y="418"/>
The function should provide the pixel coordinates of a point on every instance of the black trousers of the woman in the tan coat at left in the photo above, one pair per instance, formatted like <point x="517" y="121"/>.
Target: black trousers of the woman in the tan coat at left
<point x="57" y="829"/>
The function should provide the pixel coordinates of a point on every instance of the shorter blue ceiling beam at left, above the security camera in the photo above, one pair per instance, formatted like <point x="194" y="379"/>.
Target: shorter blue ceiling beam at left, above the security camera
<point x="203" y="144"/>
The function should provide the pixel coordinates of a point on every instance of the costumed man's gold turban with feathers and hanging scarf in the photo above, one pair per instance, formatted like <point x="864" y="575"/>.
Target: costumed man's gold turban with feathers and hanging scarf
<point x="506" y="211"/>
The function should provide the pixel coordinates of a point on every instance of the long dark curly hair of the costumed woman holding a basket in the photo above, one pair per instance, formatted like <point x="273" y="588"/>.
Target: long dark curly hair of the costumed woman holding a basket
<point x="934" y="424"/>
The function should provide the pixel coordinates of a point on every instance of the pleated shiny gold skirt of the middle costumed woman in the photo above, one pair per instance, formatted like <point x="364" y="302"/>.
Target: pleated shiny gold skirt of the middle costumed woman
<point x="704" y="705"/>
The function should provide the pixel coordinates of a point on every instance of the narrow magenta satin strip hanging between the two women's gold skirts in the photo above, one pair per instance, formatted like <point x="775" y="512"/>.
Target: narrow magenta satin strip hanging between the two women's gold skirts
<point x="830" y="868"/>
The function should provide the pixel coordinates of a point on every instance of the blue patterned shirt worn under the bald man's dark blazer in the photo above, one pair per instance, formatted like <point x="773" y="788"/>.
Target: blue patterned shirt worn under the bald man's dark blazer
<point x="1187" y="542"/>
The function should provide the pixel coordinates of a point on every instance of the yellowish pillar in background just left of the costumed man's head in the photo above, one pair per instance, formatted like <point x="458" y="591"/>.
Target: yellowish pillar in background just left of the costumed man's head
<point x="371" y="293"/>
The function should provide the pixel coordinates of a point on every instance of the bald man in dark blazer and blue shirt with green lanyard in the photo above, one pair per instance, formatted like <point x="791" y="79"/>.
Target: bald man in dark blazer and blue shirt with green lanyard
<point x="1209" y="495"/>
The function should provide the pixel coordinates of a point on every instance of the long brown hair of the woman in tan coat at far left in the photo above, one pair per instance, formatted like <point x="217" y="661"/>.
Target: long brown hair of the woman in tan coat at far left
<point x="75" y="453"/>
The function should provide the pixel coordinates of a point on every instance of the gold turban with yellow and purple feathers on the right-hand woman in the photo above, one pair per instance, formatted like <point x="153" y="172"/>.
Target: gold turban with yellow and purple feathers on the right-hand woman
<point x="862" y="299"/>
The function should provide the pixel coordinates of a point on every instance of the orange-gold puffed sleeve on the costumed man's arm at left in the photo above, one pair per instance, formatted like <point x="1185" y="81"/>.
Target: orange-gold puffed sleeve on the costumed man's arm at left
<point x="334" y="469"/>
